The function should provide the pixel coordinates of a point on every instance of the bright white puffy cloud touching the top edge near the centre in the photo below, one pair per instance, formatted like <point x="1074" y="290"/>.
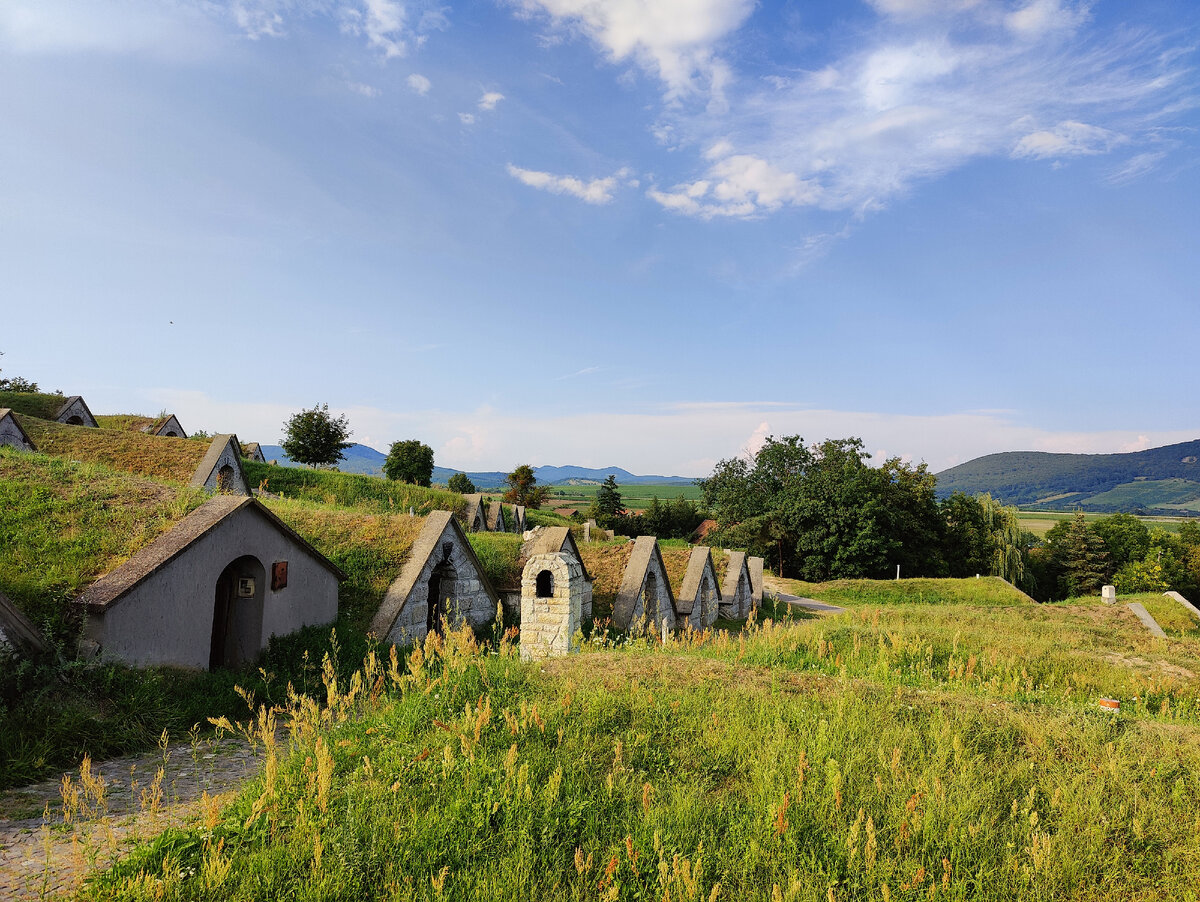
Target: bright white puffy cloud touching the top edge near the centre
<point x="676" y="40"/>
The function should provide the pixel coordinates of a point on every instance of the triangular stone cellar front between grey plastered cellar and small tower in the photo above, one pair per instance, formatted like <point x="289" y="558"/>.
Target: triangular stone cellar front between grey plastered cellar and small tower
<point x="441" y="580"/>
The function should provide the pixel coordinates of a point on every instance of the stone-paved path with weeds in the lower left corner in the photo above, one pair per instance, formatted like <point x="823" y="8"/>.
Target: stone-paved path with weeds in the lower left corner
<point x="44" y="857"/>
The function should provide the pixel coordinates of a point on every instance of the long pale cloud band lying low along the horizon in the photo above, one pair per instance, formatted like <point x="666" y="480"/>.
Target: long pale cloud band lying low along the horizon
<point x="671" y="440"/>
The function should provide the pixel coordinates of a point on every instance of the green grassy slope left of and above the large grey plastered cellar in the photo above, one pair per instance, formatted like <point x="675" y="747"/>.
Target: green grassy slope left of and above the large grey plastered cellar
<point x="64" y="525"/>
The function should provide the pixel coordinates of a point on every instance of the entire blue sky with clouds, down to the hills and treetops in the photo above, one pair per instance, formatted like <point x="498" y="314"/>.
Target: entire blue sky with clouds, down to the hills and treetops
<point x="639" y="233"/>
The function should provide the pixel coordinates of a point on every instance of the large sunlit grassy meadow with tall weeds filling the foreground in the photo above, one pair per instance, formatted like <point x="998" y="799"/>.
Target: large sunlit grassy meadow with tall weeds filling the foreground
<point x="949" y="751"/>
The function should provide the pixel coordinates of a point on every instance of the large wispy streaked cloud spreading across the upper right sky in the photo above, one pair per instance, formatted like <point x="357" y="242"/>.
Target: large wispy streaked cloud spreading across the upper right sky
<point x="933" y="87"/>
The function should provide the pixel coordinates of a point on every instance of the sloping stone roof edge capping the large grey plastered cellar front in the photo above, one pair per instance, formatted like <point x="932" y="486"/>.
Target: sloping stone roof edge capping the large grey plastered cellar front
<point x="112" y="587"/>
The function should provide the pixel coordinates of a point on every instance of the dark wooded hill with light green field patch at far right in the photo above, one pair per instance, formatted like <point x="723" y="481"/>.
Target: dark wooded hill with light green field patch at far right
<point x="1160" y="480"/>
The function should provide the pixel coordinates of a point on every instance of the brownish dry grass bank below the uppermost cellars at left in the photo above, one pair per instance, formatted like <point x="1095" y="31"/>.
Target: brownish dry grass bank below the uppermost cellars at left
<point x="155" y="456"/>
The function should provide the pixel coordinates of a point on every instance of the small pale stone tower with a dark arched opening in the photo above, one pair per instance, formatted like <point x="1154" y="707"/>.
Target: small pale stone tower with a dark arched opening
<point x="551" y="606"/>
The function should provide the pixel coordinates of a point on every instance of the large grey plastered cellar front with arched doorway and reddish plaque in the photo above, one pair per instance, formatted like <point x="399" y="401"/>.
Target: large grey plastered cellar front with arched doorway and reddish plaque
<point x="212" y="592"/>
